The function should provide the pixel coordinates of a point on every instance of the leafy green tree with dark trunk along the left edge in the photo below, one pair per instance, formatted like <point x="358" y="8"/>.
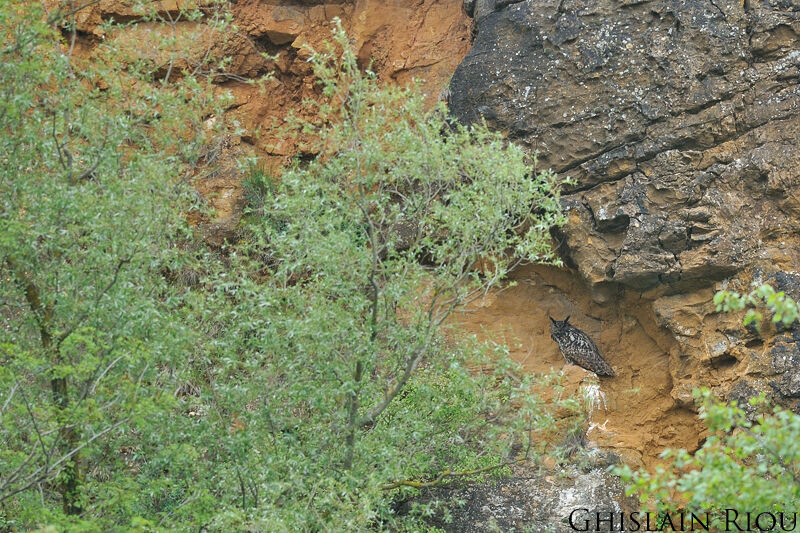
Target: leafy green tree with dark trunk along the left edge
<point x="92" y="155"/>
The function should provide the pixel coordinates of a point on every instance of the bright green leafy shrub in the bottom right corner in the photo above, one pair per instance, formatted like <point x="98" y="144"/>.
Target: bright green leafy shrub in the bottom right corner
<point x="745" y="464"/>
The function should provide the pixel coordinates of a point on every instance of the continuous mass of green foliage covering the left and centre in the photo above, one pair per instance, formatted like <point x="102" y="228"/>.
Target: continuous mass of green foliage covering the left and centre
<point x="285" y="382"/>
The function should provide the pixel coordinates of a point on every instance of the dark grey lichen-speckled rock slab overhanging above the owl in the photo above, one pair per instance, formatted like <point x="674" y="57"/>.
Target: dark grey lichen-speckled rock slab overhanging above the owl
<point x="679" y="119"/>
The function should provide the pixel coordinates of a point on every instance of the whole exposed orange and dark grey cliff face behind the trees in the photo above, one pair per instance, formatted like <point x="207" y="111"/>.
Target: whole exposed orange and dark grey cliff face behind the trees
<point x="680" y="121"/>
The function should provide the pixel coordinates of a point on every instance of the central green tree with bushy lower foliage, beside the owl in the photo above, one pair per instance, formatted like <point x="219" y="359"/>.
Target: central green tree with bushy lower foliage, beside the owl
<point x="401" y="219"/>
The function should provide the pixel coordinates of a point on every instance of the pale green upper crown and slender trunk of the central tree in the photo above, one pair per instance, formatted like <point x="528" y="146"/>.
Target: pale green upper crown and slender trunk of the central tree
<point x="405" y="216"/>
